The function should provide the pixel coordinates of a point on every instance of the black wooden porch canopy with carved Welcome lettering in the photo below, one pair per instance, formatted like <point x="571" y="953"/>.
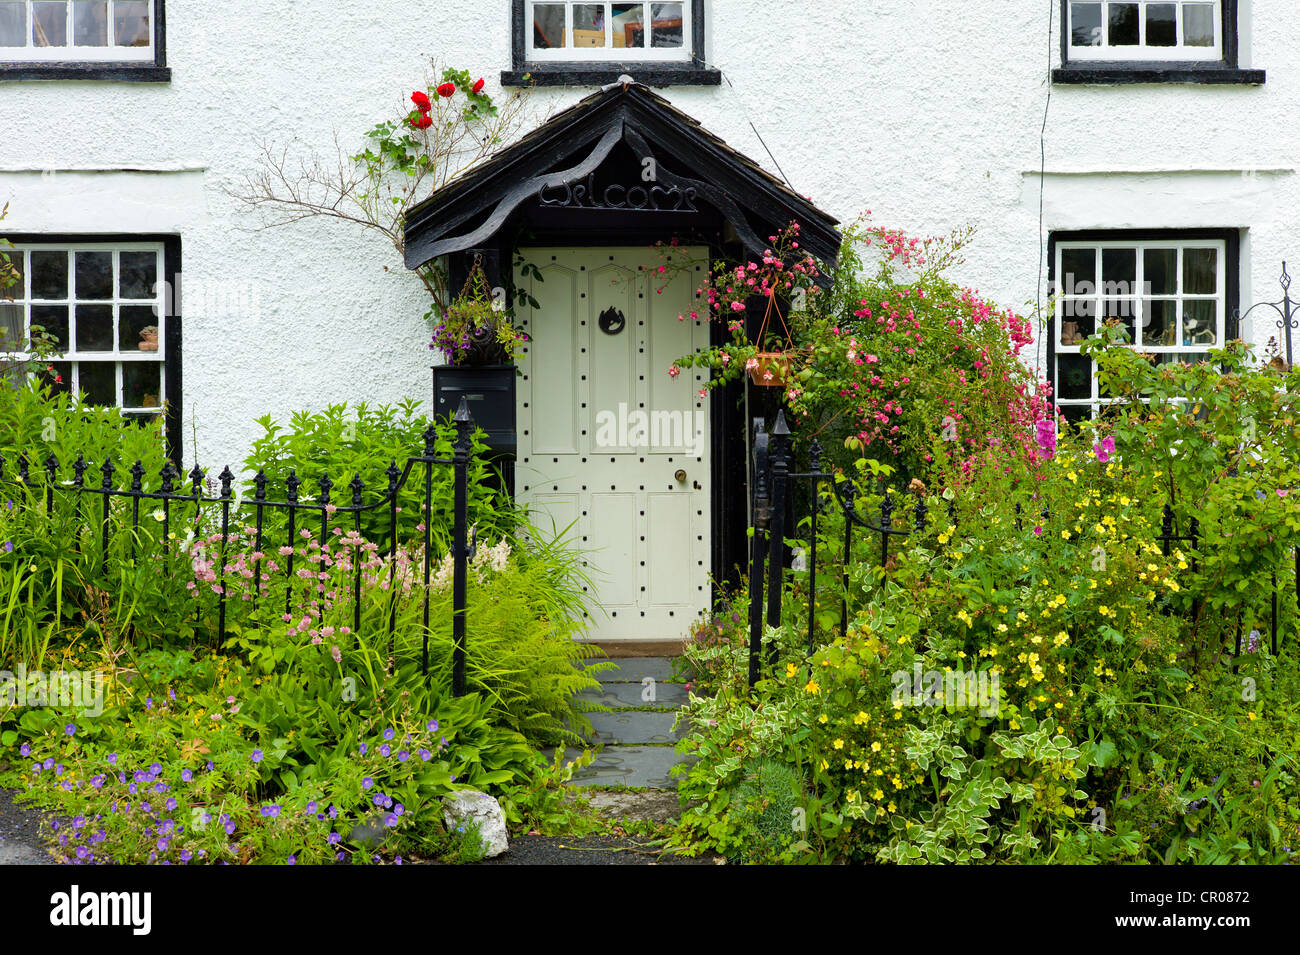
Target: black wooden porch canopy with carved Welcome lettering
<point x="621" y="163"/>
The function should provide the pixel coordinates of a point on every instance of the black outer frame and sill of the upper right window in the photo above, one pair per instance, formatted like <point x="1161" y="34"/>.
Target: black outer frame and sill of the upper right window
<point x="1124" y="72"/>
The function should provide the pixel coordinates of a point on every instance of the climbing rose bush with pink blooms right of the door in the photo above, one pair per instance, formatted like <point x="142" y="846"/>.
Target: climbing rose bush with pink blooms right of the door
<point x="892" y="359"/>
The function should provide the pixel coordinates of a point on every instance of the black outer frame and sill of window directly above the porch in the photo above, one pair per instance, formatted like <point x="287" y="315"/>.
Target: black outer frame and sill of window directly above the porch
<point x="588" y="73"/>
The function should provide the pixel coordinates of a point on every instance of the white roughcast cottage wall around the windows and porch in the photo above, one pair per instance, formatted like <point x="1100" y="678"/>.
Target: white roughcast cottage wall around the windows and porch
<point x="929" y="112"/>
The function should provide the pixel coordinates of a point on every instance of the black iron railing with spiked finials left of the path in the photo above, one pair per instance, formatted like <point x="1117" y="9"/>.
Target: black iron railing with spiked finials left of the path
<point x="176" y="502"/>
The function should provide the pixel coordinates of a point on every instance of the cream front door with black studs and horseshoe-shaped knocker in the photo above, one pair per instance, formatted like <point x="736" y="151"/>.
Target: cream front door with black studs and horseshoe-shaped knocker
<point x="612" y="444"/>
